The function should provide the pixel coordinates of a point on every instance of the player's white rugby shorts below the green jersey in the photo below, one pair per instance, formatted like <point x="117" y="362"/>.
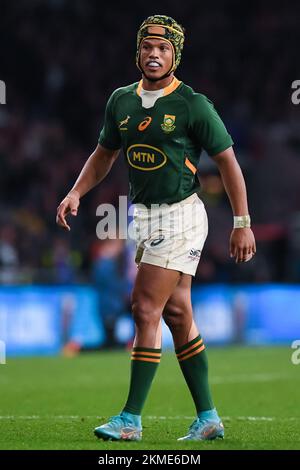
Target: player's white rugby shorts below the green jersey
<point x="171" y="236"/>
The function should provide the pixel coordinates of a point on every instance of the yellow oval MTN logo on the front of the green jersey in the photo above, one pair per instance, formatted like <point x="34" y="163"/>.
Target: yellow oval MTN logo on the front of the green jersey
<point x="145" y="157"/>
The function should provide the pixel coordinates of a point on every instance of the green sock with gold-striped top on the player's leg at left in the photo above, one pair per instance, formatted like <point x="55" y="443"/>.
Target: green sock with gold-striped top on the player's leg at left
<point x="144" y="362"/>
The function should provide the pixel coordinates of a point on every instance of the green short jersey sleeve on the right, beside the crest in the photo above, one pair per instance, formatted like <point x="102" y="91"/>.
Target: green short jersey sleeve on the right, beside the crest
<point x="207" y="127"/>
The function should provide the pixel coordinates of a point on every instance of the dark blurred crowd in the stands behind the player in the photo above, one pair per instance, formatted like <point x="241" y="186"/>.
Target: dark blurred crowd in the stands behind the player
<point x="61" y="60"/>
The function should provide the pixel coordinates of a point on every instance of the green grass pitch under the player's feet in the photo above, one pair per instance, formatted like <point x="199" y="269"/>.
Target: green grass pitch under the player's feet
<point x="54" y="403"/>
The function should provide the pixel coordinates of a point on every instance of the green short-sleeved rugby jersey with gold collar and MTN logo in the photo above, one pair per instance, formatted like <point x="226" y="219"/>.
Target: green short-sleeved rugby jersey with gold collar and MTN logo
<point x="162" y="144"/>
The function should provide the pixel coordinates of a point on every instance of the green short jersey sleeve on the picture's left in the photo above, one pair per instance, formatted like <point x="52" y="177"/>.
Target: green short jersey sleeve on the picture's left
<point x="109" y="136"/>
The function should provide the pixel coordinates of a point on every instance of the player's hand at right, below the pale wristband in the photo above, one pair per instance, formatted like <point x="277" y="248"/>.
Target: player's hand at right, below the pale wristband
<point x="242" y="244"/>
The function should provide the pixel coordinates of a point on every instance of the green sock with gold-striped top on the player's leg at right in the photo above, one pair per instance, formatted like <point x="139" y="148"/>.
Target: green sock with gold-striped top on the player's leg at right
<point x="192" y="359"/>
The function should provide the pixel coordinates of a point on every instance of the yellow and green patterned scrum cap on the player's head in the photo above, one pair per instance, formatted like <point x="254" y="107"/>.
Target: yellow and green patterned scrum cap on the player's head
<point x="162" y="27"/>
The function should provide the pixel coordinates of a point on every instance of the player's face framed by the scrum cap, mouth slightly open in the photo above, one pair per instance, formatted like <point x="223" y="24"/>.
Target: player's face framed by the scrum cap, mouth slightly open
<point x="156" y="57"/>
